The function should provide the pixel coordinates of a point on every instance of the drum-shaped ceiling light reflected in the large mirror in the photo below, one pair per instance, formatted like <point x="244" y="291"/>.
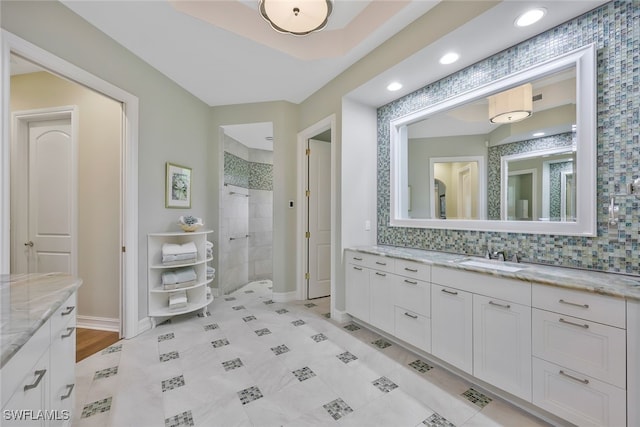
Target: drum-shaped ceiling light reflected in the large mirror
<point x="511" y="105"/>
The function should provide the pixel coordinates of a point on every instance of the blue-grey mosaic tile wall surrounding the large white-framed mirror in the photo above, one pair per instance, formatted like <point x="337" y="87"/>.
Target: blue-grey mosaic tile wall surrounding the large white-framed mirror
<point x="614" y="29"/>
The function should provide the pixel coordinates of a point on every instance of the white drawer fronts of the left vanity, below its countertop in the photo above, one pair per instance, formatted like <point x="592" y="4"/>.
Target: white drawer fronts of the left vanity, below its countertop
<point x="41" y="375"/>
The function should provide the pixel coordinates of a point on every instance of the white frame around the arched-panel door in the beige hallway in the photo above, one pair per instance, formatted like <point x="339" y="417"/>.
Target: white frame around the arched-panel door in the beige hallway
<point x="21" y="121"/>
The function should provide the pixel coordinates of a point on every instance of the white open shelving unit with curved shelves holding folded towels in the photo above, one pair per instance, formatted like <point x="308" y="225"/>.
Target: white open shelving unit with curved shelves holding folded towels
<point x="197" y="295"/>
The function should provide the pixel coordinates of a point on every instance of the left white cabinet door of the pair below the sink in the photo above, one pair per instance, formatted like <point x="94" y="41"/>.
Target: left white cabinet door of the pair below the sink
<point x="451" y="326"/>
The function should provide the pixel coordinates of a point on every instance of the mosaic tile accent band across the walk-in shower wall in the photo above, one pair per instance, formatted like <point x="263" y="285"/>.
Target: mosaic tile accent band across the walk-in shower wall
<point x="246" y="174"/>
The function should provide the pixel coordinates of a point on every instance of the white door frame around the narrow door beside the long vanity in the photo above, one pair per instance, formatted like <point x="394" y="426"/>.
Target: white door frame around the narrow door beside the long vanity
<point x="328" y="123"/>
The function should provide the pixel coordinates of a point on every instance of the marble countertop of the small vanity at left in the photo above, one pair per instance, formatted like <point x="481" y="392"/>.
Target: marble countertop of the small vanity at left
<point x="27" y="301"/>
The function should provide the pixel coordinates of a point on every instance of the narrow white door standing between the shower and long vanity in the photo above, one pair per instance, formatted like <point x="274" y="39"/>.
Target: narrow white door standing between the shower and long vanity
<point x="319" y="219"/>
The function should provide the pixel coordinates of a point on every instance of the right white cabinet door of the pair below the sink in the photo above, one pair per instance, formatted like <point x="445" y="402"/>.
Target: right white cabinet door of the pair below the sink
<point x="502" y="344"/>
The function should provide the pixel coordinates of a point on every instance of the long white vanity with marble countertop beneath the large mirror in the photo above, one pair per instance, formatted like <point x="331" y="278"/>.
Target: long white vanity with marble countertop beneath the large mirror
<point x="558" y="339"/>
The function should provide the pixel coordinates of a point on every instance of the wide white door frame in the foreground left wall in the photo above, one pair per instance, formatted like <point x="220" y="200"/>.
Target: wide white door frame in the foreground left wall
<point x="130" y="326"/>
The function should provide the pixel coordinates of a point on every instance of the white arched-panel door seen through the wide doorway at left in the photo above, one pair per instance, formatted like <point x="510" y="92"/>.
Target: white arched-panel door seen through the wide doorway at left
<point x="47" y="243"/>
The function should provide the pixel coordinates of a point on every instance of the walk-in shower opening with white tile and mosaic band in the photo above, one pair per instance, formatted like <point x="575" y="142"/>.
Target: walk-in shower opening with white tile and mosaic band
<point x="245" y="247"/>
